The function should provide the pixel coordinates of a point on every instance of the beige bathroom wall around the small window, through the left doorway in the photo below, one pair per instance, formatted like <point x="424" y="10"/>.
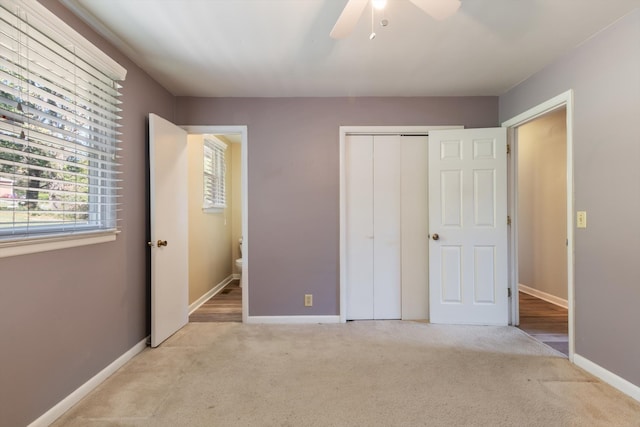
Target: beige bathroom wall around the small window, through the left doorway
<point x="209" y="233"/>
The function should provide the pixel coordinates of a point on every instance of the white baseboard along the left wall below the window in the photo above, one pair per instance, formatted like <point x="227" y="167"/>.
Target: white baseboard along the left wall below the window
<point x="65" y="404"/>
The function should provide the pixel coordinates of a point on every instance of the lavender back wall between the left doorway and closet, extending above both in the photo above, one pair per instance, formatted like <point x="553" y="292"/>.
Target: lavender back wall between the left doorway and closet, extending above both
<point x="293" y="160"/>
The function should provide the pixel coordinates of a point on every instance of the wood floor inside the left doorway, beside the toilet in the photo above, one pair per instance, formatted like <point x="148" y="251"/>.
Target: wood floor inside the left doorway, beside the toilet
<point x="226" y="306"/>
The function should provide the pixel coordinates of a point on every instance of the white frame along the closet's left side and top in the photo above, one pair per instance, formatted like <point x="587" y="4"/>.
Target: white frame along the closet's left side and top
<point x="366" y="130"/>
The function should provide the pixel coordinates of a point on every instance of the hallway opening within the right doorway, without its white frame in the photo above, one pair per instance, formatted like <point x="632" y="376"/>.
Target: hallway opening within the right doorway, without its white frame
<point x="540" y="151"/>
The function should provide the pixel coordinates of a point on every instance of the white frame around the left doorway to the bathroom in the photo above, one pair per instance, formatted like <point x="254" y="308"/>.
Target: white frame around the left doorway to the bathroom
<point x="243" y="132"/>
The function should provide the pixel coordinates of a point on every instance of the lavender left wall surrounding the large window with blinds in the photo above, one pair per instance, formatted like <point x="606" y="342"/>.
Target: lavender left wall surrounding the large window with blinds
<point x="67" y="314"/>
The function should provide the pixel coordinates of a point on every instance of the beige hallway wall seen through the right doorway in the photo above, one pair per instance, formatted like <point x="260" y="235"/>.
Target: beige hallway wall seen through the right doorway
<point x="542" y="208"/>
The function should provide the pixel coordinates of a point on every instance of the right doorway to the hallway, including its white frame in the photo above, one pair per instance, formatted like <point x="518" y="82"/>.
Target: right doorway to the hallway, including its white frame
<point x="541" y="211"/>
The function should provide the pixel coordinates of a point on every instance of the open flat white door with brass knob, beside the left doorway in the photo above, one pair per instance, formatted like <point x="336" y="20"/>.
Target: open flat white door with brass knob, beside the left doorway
<point x="169" y="244"/>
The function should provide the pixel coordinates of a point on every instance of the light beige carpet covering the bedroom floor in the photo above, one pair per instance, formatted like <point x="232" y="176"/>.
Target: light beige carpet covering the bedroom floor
<point x="370" y="373"/>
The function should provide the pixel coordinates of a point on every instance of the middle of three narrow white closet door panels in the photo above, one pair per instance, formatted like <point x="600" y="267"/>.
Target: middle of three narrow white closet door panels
<point x="387" y="302"/>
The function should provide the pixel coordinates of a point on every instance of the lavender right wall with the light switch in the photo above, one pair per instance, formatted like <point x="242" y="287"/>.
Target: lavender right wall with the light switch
<point x="605" y="76"/>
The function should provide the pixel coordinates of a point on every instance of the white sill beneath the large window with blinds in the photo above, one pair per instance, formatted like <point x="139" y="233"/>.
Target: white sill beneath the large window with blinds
<point x="24" y="247"/>
